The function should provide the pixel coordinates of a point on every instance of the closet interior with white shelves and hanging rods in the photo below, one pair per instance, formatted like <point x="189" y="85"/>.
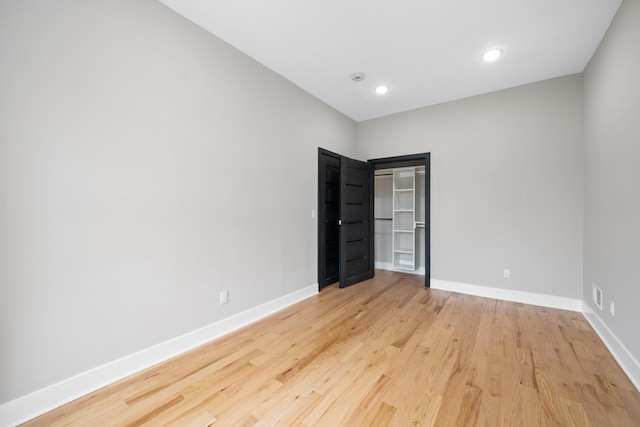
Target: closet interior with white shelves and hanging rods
<point x="400" y="219"/>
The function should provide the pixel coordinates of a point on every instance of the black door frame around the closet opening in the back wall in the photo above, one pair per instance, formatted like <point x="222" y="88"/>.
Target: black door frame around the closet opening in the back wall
<point x="408" y="161"/>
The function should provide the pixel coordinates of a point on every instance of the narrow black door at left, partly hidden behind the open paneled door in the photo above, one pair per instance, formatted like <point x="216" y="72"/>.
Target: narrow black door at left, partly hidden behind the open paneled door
<point x="328" y="216"/>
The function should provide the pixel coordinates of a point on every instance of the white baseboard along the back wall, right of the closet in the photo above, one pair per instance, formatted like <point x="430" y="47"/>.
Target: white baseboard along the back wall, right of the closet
<point x="551" y="301"/>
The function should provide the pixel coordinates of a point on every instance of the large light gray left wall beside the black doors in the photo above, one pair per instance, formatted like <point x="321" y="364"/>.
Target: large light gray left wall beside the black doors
<point x="144" y="166"/>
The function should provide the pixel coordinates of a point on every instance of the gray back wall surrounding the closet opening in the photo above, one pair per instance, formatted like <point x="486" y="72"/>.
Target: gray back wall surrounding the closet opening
<point x="506" y="184"/>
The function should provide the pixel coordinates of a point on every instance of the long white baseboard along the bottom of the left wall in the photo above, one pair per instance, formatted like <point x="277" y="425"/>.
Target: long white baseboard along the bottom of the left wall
<point x="30" y="406"/>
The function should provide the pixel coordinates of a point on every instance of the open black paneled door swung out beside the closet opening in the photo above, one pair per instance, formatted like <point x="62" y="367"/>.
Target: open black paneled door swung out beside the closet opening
<point x="356" y="225"/>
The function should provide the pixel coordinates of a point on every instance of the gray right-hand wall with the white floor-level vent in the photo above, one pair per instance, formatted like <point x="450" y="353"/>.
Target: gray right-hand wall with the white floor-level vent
<point x="612" y="178"/>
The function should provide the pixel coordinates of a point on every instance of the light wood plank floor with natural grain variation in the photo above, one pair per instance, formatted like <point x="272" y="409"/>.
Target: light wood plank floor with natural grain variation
<point x="383" y="352"/>
